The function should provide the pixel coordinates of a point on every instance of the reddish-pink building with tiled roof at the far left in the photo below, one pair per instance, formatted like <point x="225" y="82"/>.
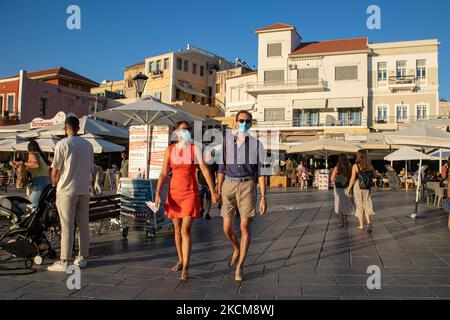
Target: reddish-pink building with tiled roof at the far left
<point x="44" y="93"/>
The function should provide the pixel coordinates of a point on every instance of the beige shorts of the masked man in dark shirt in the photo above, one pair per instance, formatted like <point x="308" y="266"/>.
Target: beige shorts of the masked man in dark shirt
<point x="240" y="195"/>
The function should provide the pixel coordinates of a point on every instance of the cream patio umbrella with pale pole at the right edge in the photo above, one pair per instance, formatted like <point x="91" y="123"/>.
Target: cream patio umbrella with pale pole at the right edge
<point x="422" y="136"/>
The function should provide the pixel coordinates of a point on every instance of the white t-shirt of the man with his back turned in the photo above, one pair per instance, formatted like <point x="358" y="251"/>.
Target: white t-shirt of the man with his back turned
<point x="74" y="157"/>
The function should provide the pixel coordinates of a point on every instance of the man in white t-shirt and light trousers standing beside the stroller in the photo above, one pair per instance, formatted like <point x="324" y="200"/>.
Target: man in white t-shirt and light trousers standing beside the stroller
<point x="71" y="167"/>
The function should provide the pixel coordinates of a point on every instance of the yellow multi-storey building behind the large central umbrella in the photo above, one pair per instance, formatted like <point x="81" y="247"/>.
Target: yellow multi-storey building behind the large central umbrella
<point x="185" y="78"/>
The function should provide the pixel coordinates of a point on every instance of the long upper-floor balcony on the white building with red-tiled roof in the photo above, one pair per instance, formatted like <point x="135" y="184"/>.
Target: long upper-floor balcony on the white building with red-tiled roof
<point x="313" y="85"/>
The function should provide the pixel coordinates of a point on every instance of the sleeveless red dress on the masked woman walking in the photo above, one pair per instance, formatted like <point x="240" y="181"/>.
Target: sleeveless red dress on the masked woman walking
<point x="183" y="196"/>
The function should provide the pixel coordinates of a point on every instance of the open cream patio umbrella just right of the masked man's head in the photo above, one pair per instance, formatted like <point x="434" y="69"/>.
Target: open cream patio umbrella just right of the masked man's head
<point x="324" y="148"/>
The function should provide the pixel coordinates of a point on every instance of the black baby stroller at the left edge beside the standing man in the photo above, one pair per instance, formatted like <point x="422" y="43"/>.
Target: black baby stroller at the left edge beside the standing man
<point x="26" y="237"/>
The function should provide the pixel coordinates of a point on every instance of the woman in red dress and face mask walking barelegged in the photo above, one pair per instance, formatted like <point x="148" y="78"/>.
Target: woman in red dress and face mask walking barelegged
<point x="183" y="201"/>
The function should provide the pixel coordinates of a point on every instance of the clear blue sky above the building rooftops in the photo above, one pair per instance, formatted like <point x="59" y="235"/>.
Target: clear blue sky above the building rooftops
<point x="116" y="34"/>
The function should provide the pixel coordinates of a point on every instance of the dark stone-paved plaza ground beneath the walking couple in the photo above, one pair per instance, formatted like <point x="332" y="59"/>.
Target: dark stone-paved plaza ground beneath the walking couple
<point x="298" y="251"/>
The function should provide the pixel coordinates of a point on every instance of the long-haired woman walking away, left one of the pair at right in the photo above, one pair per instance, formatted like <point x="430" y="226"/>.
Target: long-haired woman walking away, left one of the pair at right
<point x="341" y="175"/>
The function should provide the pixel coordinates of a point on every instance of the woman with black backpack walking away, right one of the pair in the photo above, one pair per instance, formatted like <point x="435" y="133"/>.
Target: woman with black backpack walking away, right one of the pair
<point x="361" y="184"/>
